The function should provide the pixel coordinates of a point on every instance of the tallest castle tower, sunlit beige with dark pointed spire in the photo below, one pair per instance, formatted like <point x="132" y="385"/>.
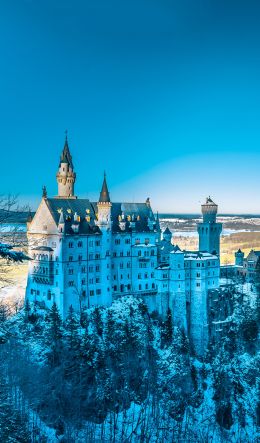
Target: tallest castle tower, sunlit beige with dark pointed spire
<point x="66" y="176"/>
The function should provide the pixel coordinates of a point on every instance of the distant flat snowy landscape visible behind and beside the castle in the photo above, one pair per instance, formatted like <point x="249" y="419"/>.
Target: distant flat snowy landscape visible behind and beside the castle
<point x="239" y="231"/>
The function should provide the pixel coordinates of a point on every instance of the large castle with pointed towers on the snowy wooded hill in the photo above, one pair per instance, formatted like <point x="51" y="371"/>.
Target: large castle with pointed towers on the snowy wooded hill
<point x="89" y="253"/>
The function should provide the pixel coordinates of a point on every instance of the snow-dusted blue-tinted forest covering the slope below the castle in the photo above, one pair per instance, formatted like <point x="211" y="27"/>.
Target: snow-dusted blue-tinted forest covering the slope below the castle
<point x="119" y="374"/>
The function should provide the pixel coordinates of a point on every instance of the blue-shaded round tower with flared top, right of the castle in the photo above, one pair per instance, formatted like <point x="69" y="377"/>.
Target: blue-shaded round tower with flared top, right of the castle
<point x="209" y="230"/>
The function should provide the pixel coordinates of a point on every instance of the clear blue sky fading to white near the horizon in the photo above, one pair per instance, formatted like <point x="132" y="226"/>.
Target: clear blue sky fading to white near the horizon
<point x="162" y="94"/>
